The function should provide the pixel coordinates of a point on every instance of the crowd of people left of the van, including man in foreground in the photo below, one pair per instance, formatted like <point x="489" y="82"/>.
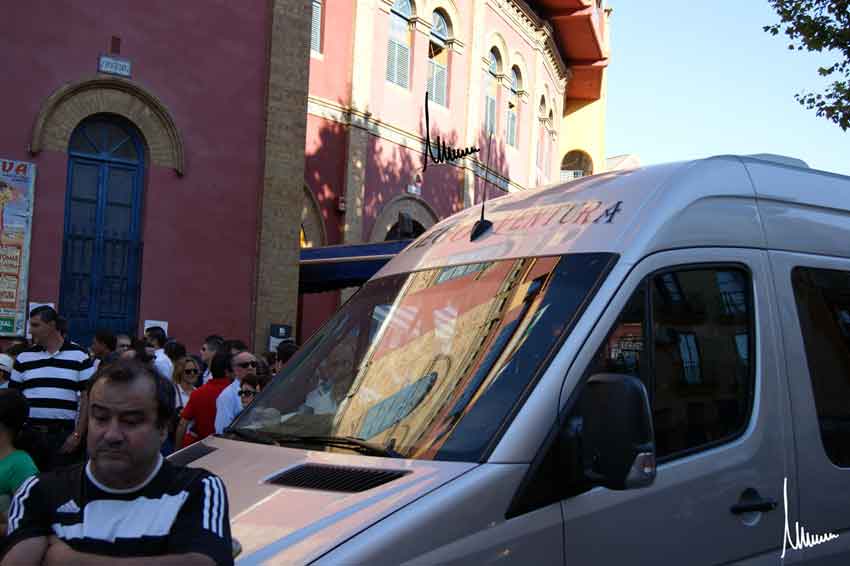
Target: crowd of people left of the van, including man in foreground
<point x="86" y="425"/>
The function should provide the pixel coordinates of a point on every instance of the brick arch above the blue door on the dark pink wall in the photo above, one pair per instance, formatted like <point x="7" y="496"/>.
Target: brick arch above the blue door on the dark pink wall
<point x="70" y="104"/>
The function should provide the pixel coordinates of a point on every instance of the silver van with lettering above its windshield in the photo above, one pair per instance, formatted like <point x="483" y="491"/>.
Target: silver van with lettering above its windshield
<point x="640" y="367"/>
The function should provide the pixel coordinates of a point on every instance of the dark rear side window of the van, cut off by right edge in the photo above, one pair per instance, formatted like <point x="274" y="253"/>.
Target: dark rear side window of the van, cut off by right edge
<point x="823" y="305"/>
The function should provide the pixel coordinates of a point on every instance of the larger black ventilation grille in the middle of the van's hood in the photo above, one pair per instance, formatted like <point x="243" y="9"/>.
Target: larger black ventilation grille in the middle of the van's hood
<point x="335" y="478"/>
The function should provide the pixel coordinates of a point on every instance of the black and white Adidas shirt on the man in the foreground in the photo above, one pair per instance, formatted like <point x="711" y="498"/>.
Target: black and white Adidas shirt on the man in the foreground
<point x="176" y="510"/>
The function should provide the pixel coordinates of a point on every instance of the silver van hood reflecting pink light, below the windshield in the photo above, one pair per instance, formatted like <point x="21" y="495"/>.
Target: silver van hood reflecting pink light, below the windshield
<point x="281" y="524"/>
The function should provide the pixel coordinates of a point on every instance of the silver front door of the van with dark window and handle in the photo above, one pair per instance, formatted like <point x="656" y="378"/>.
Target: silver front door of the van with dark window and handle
<point x="697" y="327"/>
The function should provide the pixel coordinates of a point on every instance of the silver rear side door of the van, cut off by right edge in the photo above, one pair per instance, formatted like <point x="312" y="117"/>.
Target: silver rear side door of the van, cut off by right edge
<point x="814" y="294"/>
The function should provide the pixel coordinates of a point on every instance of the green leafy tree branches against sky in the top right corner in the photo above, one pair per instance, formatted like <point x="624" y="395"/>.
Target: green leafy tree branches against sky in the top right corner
<point x="821" y="26"/>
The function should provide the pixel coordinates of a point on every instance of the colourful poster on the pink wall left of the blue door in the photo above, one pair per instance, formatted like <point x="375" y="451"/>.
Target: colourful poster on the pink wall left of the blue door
<point x="17" y="184"/>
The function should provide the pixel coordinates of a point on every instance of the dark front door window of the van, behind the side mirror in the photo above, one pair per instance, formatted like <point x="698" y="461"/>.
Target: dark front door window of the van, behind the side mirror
<point x="694" y="359"/>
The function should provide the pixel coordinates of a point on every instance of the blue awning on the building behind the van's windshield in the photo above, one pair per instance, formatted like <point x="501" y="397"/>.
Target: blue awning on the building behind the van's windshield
<point x="336" y="267"/>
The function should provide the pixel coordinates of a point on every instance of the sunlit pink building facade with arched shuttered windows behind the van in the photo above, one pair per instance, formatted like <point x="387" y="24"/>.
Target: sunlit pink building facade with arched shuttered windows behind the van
<point x="500" y="78"/>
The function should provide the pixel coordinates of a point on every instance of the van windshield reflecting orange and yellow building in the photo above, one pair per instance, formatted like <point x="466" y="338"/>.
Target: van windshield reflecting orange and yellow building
<point x="430" y="364"/>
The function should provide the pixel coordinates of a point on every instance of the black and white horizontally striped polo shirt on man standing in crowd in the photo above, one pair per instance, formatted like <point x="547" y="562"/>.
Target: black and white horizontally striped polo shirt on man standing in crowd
<point x="52" y="383"/>
